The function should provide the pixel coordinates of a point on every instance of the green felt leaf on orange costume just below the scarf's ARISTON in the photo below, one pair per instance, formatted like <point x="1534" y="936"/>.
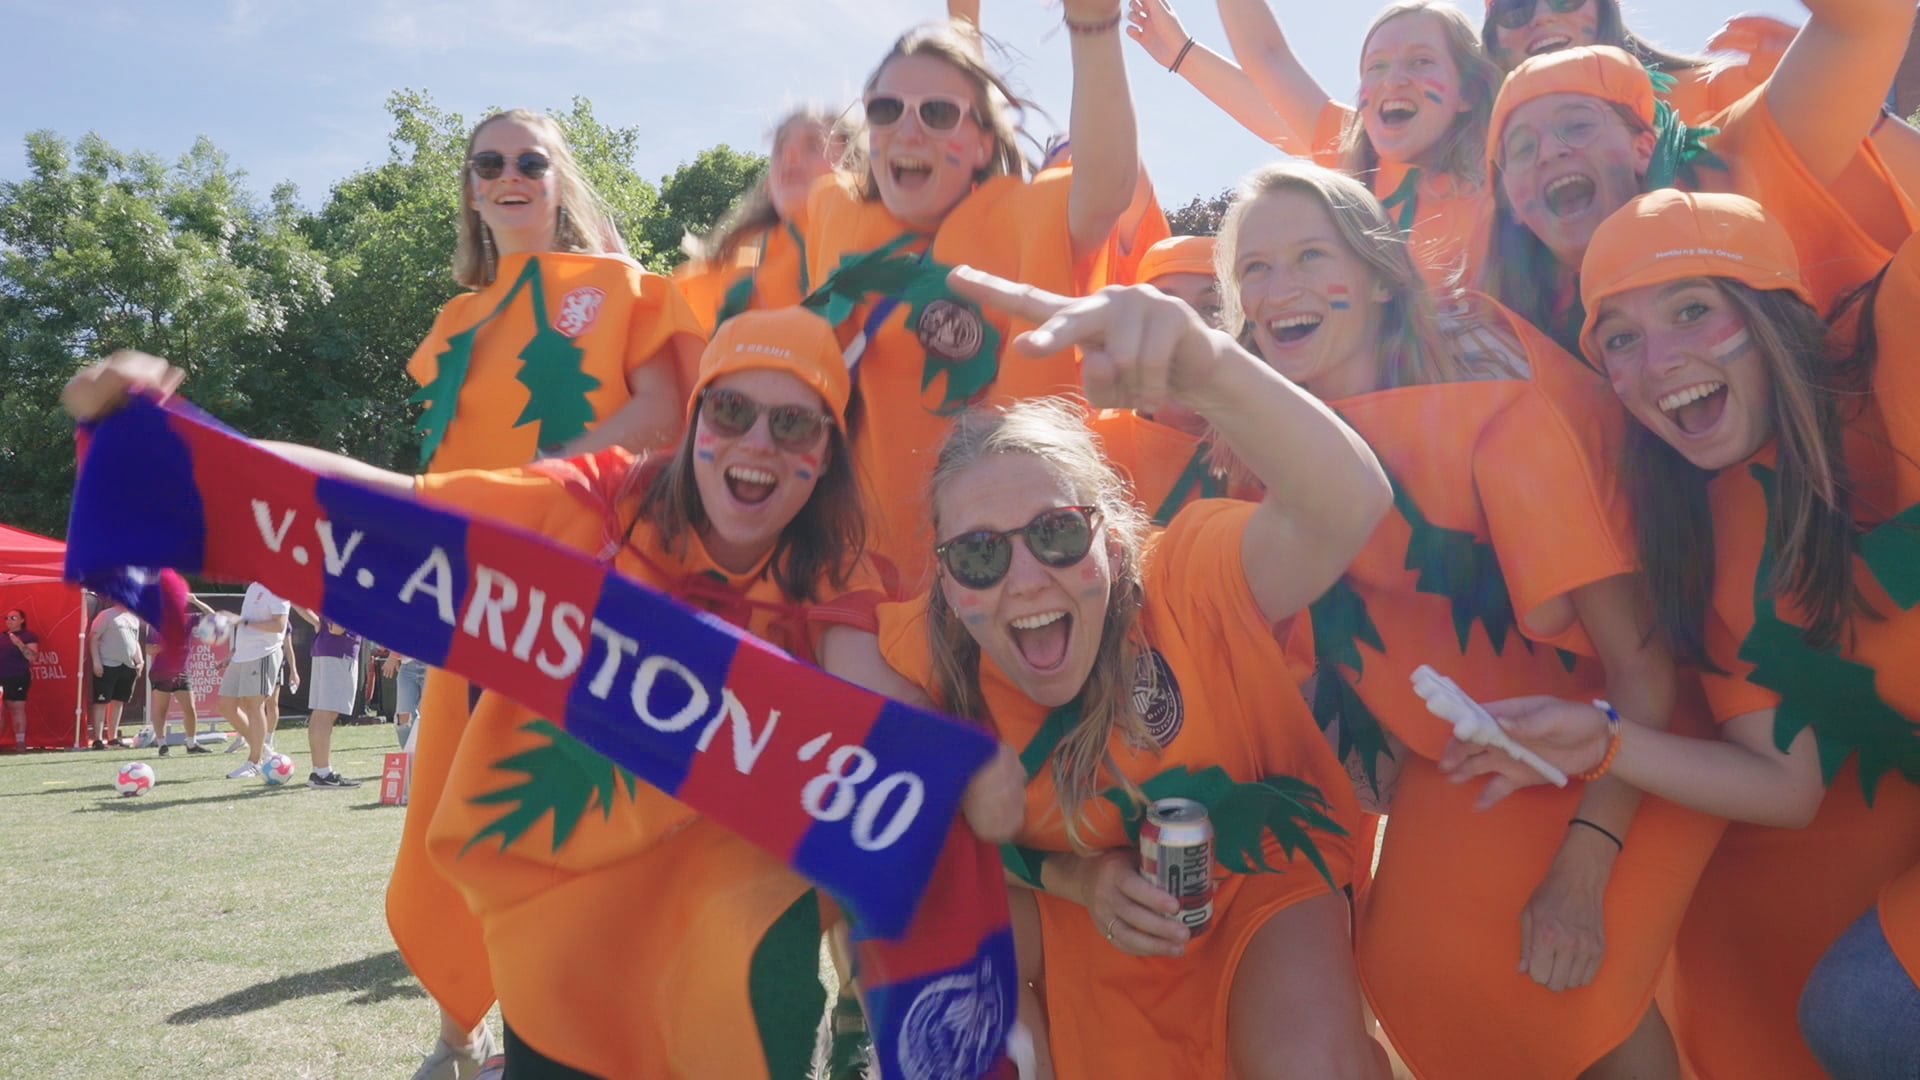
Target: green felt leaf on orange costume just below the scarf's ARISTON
<point x="564" y="777"/>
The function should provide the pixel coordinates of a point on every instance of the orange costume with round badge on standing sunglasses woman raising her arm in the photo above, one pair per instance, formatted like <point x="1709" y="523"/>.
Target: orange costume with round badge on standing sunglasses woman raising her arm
<point x="934" y="353"/>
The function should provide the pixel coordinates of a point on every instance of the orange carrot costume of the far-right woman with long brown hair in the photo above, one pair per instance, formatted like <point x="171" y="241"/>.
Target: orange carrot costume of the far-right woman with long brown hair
<point x="1775" y="900"/>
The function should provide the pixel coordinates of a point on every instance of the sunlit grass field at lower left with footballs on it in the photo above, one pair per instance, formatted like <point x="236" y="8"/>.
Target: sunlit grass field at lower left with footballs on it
<point x="206" y="929"/>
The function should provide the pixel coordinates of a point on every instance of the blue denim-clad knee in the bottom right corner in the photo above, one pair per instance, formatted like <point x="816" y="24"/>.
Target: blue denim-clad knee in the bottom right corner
<point x="1861" y="1010"/>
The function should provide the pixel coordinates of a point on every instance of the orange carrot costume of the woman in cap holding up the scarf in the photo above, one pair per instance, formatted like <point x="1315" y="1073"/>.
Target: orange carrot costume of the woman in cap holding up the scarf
<point x="554" y="847"/>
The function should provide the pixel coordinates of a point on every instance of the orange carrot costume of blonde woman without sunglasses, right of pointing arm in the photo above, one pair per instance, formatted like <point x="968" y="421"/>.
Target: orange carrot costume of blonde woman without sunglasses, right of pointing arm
<point x="1504" y="504"/>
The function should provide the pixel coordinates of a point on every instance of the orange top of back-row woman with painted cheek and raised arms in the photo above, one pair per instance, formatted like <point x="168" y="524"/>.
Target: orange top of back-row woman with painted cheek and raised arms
<point x="1445" y="218"/>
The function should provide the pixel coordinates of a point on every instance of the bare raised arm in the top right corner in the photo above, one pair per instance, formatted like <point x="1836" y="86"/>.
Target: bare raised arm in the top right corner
<point x="1835" y="78"/>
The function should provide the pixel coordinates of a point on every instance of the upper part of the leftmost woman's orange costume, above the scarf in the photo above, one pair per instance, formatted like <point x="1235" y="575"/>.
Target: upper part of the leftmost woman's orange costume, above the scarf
<point x="544" y="355"/>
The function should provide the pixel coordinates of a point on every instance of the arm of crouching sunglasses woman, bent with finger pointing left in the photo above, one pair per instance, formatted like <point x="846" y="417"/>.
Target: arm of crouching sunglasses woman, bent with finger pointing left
<point x="1140" y="349"/>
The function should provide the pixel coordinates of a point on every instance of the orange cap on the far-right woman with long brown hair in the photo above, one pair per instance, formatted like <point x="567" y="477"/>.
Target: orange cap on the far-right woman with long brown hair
<point x="1673" y="235"/>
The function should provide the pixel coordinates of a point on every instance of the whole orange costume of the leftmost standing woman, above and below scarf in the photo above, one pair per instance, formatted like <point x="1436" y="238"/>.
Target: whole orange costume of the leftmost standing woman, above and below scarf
<point x="527" y="362"/>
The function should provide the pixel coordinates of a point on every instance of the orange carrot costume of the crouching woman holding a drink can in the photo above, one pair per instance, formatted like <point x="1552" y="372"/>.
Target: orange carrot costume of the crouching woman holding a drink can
<point x="1226" y="714"/>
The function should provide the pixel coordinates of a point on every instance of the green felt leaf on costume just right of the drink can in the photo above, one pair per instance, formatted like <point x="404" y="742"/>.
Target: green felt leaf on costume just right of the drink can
<point x="1241" y="814"/>
